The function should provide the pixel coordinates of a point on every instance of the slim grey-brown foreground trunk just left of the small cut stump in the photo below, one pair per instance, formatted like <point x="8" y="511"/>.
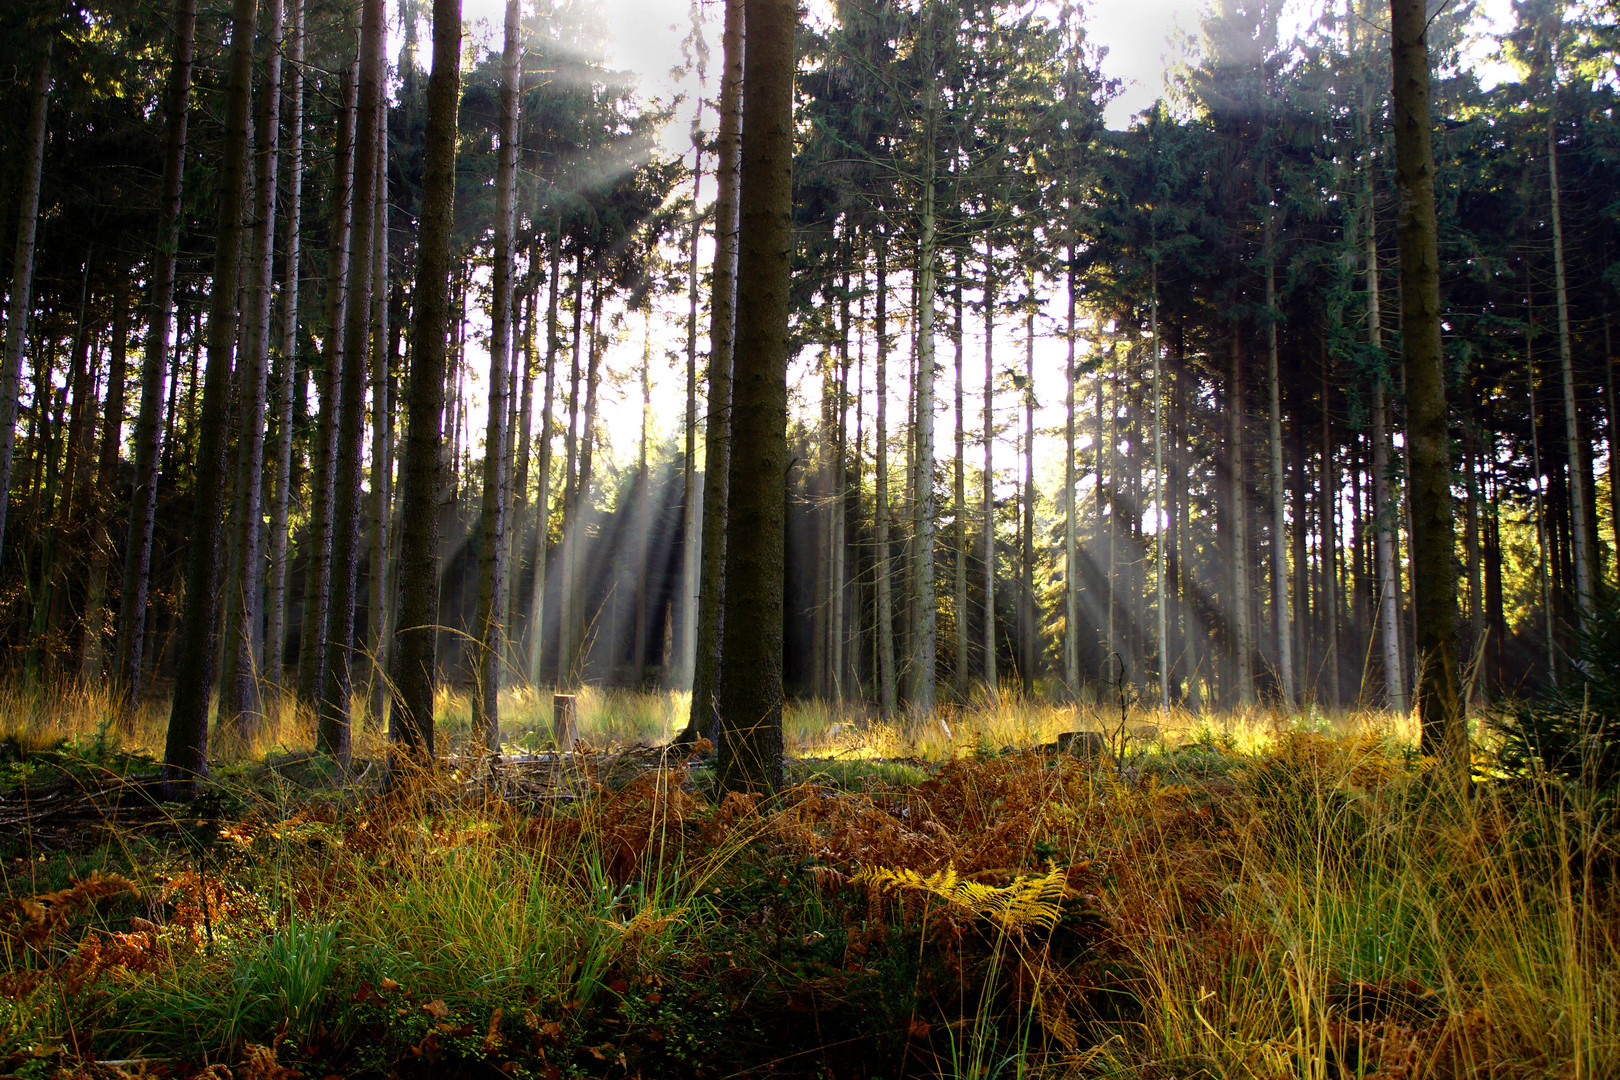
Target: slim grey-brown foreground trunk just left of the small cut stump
<point x="492" y="561"/>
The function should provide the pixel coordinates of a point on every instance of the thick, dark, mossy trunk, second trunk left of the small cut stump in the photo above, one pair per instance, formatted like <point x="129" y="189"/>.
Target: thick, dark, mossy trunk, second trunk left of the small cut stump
<point x="411" y="720"/>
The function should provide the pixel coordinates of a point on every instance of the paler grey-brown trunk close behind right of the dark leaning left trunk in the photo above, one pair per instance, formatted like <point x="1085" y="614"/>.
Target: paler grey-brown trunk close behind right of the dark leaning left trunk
<point x="241" y="702"/>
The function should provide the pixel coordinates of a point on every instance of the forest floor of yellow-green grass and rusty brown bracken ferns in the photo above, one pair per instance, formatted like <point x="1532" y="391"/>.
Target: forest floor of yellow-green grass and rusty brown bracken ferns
<point x="1214" y="896"/>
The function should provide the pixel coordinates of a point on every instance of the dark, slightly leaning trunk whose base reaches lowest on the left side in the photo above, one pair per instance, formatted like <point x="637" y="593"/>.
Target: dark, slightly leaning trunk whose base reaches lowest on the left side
<point x="185" y="752"/>
